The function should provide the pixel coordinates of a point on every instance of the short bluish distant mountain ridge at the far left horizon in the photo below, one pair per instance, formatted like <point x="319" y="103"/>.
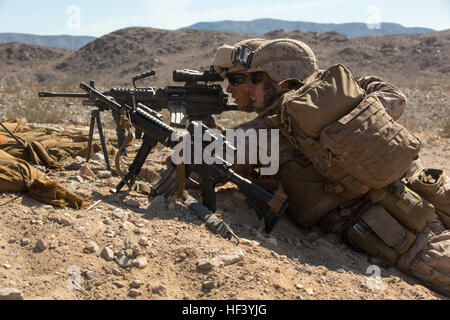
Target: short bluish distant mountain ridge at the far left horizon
<point x="63" y="41"/>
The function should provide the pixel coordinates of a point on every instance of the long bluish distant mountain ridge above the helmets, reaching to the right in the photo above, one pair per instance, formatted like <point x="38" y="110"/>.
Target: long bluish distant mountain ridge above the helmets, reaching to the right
<point x="262" y="26"/>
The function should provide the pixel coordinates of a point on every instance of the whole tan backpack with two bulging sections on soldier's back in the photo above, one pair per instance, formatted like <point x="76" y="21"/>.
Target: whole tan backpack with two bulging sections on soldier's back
<point x="346" y="134"/>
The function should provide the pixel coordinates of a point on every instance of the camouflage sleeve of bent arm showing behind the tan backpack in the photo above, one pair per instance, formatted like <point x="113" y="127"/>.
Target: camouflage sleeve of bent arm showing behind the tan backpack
<point x="392" y="98"/>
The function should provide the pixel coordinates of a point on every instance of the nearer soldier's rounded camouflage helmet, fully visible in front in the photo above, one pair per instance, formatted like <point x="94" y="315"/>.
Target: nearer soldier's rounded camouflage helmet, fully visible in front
<point x="284" y="59"/>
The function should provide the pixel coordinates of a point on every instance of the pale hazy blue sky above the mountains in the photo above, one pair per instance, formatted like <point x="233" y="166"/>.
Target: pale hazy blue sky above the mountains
<point x="99" y="17"/>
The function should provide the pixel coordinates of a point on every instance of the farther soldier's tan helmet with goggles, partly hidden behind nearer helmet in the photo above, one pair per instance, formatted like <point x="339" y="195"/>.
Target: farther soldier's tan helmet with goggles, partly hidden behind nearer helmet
<point x="223" y="61"/>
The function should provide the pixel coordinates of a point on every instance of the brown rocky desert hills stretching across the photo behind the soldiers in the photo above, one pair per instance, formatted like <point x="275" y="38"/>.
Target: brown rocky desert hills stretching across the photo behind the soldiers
<point x="114" y="58"/>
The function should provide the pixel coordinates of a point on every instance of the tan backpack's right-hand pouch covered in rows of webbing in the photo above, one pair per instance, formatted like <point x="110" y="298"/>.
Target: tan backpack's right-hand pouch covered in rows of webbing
<point x="370" y="145"/>
